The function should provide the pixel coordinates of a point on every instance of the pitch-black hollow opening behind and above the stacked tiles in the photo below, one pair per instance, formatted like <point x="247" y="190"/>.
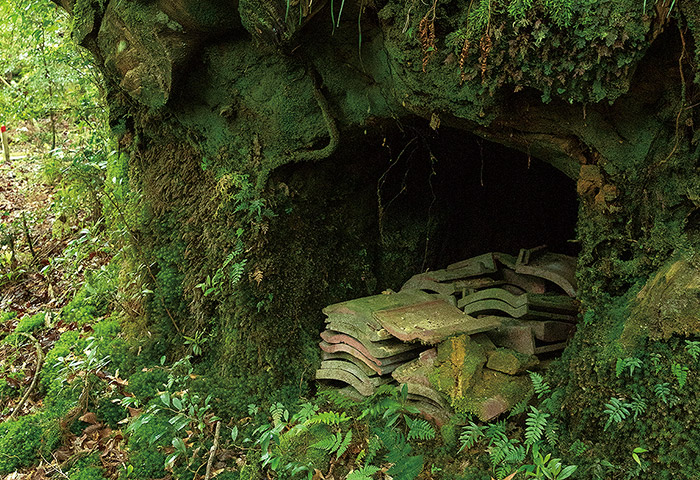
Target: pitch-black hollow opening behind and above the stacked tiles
<point x="470" y="196"/>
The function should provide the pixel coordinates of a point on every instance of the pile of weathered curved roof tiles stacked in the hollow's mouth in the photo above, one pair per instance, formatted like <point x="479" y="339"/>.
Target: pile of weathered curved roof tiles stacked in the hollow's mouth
<point x="523" y="303"/>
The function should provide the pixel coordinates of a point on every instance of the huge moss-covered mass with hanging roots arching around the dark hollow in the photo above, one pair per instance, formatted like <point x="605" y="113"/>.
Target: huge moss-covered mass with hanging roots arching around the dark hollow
<point x="284" y="163"/>
